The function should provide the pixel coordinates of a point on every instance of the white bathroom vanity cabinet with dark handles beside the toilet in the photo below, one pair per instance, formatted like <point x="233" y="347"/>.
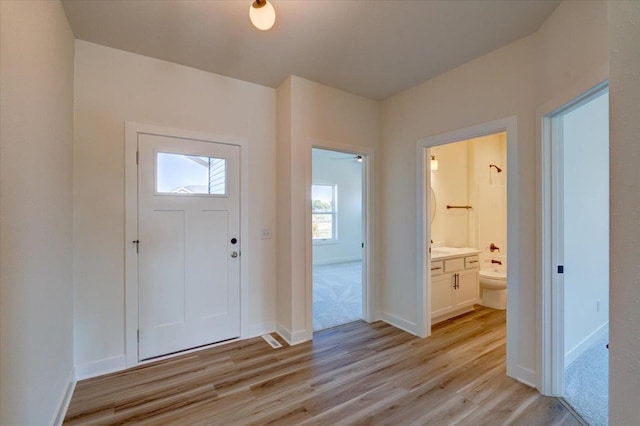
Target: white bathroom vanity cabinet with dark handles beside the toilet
<point x="454" y="284"/>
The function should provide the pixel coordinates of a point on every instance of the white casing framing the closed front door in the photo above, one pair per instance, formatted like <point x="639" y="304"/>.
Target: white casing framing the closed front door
<point x="132" y="130"/>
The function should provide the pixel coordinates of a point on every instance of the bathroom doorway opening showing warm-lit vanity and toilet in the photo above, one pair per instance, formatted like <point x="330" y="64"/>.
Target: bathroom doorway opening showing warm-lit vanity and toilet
<point x="468" y="226"/>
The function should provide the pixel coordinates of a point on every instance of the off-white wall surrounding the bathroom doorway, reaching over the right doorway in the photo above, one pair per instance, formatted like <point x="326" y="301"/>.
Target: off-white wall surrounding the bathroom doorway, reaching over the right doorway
<point x="512" y="80"/>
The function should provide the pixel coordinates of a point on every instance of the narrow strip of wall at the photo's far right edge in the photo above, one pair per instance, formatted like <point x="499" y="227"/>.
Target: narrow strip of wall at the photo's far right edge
<point x="624" y="110"/>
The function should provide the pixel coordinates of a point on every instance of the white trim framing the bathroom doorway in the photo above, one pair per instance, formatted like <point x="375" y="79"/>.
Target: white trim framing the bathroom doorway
<point x="423" y="285"/>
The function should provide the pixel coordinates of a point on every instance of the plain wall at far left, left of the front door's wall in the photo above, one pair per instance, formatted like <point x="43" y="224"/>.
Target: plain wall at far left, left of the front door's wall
<point x="36" y="133"/>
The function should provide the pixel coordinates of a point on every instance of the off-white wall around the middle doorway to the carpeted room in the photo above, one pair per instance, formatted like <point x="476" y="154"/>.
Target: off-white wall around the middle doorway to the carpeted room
<point x="317" y="113"/>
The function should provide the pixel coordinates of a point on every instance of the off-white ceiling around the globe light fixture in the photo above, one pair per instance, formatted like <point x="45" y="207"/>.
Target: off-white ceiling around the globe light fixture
<point x="371" y="48"/>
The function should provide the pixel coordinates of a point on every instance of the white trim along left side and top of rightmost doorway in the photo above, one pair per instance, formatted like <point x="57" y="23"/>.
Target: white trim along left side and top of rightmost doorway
<point x="549" y="300"/>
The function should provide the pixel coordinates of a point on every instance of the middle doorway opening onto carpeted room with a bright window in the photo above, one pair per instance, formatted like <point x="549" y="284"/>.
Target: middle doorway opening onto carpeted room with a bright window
<point x="338" y="237"/>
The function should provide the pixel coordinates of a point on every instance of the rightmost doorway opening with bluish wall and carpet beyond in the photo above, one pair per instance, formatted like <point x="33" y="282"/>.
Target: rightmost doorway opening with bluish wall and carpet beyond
<point x="576" y="234"/>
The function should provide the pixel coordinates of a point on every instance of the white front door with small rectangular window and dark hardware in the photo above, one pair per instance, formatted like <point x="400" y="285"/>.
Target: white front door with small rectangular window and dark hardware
<point x="189" y="244"/>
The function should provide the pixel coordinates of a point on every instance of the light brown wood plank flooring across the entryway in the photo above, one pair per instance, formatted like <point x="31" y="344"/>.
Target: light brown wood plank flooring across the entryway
<point x="355" y="374"/>
